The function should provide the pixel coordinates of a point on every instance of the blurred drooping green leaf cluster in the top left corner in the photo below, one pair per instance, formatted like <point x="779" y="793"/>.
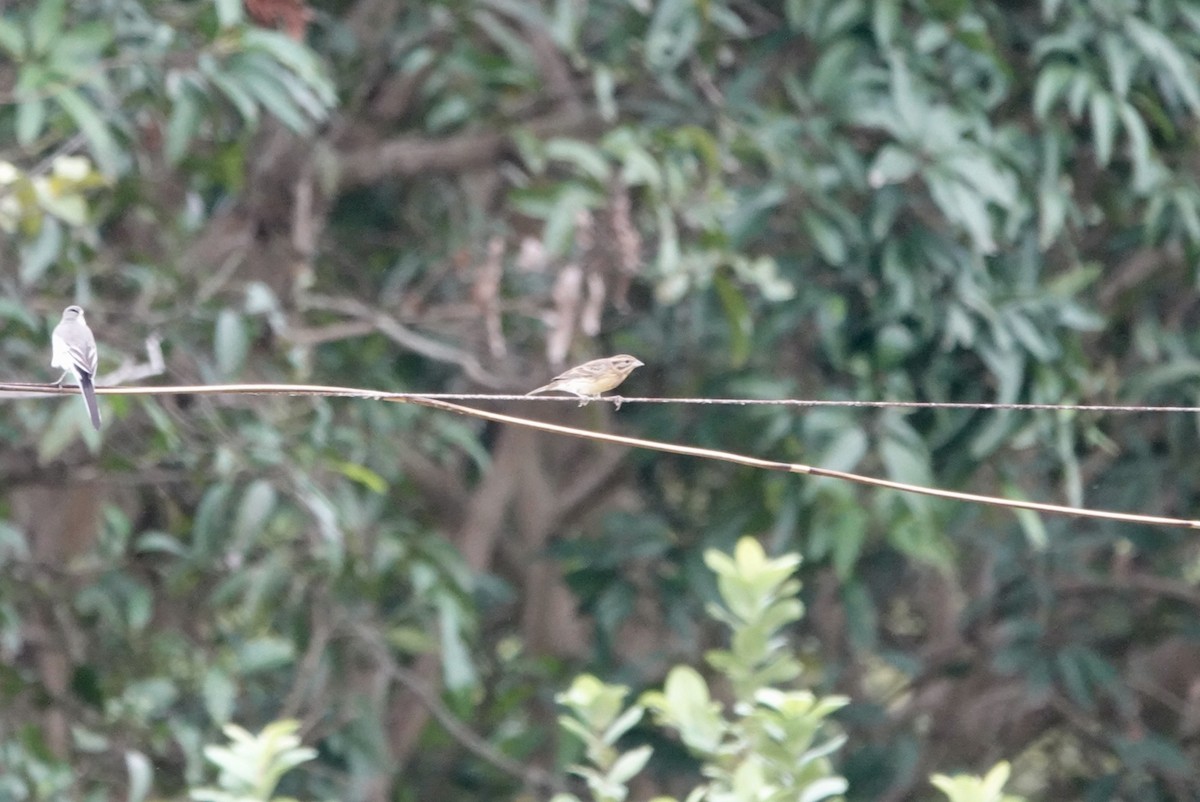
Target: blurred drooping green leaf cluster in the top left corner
<point x="68" y="75"/>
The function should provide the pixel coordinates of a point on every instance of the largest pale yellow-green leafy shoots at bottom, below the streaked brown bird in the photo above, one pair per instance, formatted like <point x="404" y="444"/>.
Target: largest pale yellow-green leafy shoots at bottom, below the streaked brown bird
<point x="765" y="747"/>
